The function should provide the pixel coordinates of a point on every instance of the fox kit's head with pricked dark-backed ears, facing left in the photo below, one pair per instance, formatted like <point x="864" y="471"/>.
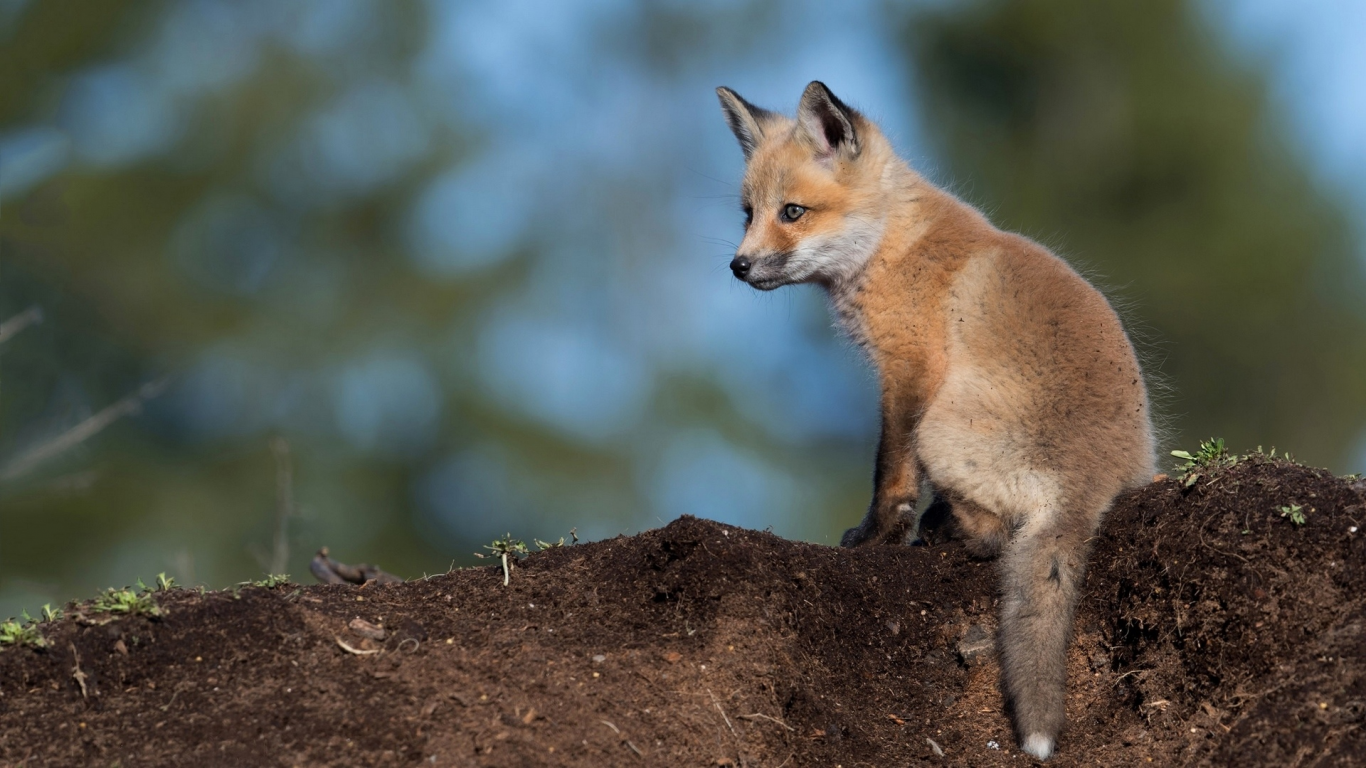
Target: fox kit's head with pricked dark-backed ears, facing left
<point x="813" y="191"/>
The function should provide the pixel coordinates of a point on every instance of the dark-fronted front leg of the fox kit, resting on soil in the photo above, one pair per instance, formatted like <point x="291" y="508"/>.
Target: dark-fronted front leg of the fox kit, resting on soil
<point x="897" y="482"/>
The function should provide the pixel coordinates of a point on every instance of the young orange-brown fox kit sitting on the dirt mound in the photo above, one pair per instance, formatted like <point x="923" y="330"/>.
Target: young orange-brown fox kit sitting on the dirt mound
<point x="1007" y="381"/>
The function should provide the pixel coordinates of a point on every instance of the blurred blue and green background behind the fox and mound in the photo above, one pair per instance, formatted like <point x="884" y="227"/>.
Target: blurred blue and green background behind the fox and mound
<point x="400" y="277"/>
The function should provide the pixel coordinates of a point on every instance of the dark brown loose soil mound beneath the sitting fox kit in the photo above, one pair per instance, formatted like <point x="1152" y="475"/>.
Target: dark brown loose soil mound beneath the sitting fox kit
<point x="1212" y="632"/>
